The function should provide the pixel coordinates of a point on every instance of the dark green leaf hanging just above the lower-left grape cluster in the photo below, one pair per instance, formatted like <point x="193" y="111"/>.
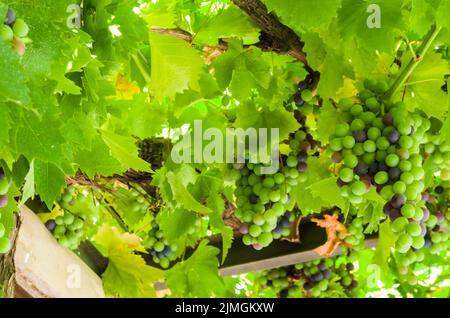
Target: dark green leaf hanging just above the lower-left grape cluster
<point x="49" y="181"/>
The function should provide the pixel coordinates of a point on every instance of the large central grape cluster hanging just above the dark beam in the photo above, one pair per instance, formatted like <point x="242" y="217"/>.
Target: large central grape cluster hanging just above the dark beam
<point x="262" y="201"/>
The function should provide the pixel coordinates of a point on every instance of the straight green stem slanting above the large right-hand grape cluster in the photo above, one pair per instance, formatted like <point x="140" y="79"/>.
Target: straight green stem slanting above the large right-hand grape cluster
<point x="414" y="62"/>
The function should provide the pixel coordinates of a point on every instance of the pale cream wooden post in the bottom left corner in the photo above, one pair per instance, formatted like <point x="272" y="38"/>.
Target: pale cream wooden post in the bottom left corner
<point x="38" y="267"/>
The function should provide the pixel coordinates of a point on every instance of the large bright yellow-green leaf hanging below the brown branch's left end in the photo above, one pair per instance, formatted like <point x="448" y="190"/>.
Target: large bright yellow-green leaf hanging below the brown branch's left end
<point x="175" y="66"/>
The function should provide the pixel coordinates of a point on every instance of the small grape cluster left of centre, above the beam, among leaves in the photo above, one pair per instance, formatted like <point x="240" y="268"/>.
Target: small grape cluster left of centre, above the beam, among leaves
<point x="159" y="247"/>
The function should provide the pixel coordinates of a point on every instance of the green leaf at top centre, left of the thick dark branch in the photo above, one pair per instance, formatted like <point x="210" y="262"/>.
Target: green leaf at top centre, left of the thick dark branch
<point x="231" y="22"/>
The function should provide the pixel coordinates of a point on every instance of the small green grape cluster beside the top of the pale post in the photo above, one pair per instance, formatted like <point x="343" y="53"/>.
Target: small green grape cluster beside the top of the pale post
<point x="67" y="229"/>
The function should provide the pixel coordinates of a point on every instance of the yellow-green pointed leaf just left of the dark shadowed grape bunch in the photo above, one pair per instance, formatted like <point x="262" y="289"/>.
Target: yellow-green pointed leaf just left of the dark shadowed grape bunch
<point x="124" y="149"/>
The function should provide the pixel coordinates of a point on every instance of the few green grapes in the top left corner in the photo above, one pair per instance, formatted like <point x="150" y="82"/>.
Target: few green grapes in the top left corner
<point x="13" y="30"/>
